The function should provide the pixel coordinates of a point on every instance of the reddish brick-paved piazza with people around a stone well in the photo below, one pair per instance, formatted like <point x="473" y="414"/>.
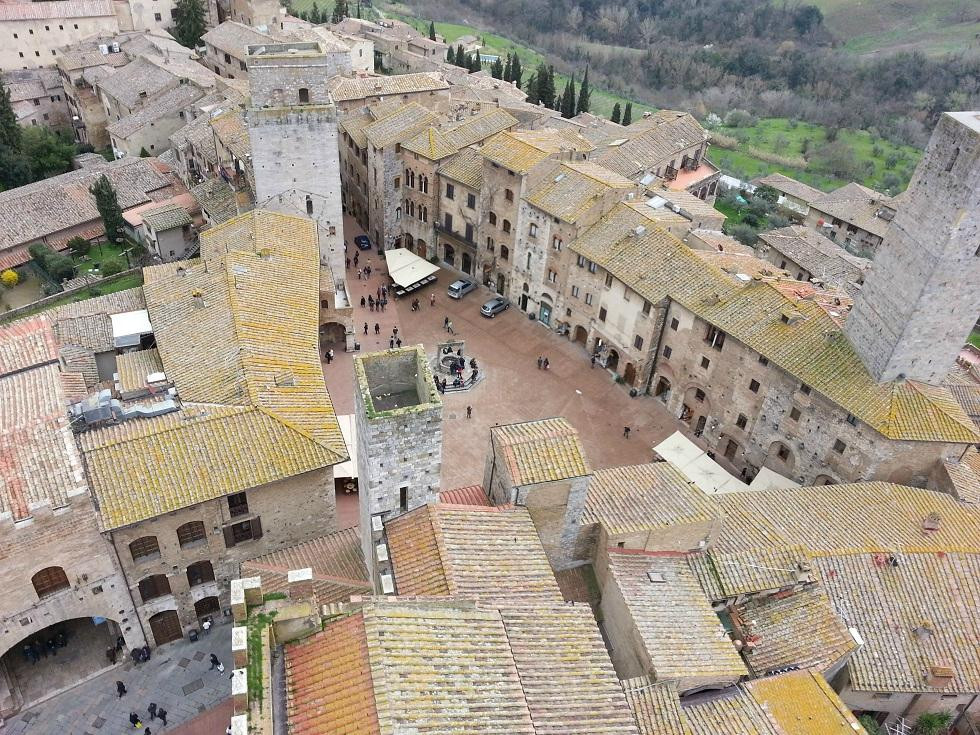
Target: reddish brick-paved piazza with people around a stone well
<point x="513" y="389"/>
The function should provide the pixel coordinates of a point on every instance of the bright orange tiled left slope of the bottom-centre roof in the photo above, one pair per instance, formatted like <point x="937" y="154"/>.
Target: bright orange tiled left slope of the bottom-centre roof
<point x="329" y="685"/>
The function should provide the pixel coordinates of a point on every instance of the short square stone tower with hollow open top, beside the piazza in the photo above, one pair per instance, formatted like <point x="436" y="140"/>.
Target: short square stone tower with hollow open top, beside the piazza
<point x="398" y="413"/>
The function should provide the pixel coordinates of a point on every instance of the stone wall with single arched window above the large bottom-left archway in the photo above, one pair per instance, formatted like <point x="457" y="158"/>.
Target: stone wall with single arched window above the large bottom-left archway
<point x="69" y="538"/>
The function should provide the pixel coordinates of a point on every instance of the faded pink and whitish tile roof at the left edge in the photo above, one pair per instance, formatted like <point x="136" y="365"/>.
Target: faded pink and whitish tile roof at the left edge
<point x="41" y="464"/>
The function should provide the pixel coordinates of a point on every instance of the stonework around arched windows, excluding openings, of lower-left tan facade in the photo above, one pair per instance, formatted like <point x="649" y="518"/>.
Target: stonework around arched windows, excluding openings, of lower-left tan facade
<point x="290" y="511"/>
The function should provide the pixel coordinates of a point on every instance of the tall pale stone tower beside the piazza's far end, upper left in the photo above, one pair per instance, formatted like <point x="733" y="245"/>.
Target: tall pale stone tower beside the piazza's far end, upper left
<point x="292" y="124"/>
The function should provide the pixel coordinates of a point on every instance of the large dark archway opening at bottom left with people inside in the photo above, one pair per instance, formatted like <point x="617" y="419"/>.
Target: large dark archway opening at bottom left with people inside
<point x="57" y="657"/>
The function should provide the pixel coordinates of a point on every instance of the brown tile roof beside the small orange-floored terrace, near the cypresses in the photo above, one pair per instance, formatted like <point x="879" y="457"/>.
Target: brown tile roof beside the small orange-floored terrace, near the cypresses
<point x="651" y="143"/>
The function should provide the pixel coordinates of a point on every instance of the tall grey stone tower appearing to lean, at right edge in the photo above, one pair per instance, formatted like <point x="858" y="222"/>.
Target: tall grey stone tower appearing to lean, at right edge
<point x="921" y="299"/>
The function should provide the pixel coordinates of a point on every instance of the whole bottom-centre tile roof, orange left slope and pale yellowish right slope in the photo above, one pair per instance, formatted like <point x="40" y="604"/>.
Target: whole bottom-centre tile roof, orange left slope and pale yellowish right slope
<point x="440" y="666"/>
